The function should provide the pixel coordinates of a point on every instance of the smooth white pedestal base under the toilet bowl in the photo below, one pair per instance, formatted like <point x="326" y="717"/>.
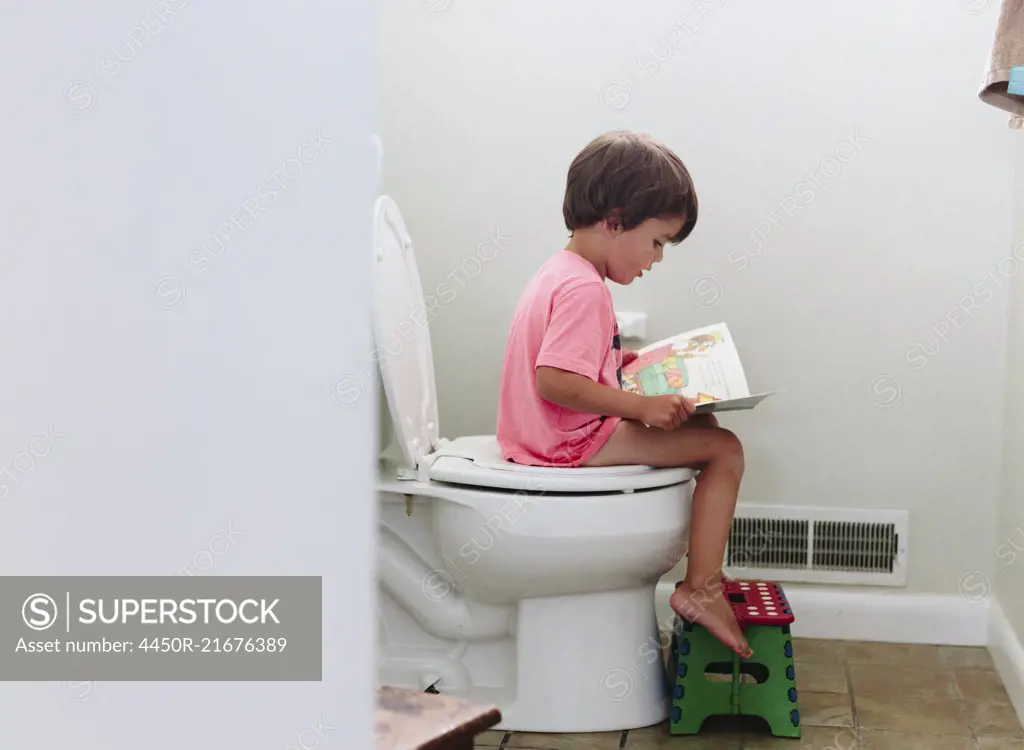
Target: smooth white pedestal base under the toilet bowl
<point x="588" y="663"/>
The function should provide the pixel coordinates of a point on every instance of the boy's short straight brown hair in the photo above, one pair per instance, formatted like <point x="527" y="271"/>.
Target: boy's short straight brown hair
<point x="631" y="178"/>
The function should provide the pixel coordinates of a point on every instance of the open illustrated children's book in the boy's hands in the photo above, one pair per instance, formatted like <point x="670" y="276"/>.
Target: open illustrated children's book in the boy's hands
<point x="703" y="365"/>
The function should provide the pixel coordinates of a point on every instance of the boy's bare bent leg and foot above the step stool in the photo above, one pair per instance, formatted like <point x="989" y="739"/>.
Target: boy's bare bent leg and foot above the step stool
<point x="719" y="456"/>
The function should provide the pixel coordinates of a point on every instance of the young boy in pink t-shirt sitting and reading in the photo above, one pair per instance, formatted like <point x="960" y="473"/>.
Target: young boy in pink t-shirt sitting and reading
<point x="562" y="403"/>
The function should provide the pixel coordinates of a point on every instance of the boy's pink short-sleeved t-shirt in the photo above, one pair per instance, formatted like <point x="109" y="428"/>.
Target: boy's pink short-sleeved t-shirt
<point x="566" y="320"/>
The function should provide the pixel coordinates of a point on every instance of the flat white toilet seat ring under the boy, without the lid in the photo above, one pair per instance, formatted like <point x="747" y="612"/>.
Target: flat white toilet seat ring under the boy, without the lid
<point x="478" y="462"/>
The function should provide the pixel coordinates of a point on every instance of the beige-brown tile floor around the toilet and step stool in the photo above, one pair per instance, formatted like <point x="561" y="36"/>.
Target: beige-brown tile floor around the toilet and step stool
<point x="852" y="696"/>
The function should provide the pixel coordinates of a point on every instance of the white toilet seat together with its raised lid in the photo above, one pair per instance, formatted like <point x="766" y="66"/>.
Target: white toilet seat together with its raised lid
<point x="406" y="360"/>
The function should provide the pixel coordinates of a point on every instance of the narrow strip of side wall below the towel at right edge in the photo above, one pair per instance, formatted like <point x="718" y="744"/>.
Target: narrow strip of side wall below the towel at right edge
<point x="1004" y="566"/>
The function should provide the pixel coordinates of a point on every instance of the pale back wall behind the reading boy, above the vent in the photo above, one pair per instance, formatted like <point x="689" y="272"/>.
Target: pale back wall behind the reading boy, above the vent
<point x="483" y="108"/>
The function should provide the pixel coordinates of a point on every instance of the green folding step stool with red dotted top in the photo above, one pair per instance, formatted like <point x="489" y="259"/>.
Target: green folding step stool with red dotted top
<point x="765" y="616"/>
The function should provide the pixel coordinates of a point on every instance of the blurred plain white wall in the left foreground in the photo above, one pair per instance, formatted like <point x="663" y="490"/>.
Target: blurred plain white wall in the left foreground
<point x="180" y="418"/>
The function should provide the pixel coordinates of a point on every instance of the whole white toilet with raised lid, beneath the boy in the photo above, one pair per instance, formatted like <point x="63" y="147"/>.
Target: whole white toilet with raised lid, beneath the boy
<point x="528" y="589"/>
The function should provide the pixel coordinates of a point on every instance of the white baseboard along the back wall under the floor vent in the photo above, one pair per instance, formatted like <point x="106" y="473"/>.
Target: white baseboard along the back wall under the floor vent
<point x="824" y="612"/>
